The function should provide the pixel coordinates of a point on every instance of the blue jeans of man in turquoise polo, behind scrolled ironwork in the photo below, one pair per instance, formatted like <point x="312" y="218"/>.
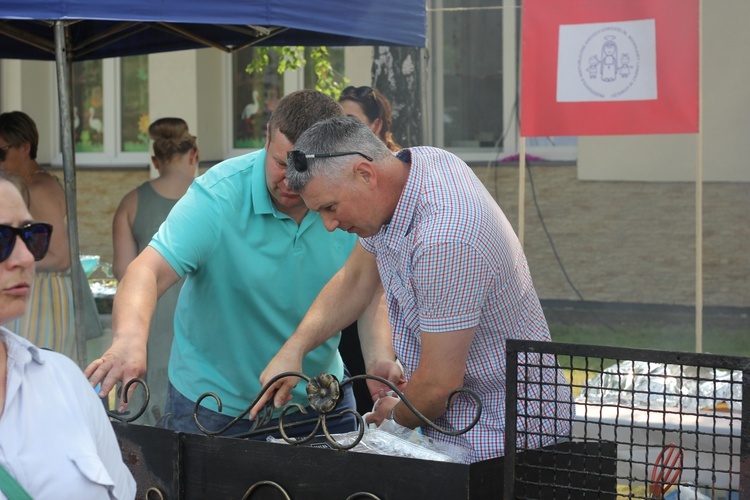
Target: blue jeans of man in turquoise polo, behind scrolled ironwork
<point x="178" y="416"/>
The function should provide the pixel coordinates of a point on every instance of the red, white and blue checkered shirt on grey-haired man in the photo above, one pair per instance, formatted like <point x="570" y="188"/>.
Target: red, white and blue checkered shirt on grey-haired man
<point x="450" y="260"/>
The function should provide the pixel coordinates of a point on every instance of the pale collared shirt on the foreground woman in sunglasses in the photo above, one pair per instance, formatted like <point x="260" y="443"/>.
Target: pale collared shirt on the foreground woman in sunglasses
<point x="55" y="437"/>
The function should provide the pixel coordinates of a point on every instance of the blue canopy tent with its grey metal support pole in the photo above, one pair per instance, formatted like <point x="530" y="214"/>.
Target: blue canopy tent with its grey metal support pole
<point x="75" y="30"/>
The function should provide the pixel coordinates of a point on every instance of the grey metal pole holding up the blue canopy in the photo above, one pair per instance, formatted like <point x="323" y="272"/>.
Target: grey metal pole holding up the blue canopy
<point x="63" y="62"/>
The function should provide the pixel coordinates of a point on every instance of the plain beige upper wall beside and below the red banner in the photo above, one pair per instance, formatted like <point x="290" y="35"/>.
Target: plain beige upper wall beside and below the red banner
<point x="725" y="121"/>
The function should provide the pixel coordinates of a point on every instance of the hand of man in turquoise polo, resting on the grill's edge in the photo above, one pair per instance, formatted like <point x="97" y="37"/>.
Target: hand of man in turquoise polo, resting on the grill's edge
<point x="122" y="362"/>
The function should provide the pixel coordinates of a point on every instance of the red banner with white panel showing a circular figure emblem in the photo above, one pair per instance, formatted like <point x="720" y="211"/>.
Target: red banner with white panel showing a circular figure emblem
<point x="614" y="67"/>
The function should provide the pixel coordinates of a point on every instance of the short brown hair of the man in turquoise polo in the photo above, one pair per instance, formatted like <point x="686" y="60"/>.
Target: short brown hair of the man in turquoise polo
<point x="298" y="111"/>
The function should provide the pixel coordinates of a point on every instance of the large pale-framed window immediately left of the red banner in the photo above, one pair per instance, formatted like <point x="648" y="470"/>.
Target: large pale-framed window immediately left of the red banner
<point x="475" y="70"/>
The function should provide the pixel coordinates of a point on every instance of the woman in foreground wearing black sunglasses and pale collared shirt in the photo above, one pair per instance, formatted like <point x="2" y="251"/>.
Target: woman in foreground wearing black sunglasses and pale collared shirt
<point x="55" y="437"/>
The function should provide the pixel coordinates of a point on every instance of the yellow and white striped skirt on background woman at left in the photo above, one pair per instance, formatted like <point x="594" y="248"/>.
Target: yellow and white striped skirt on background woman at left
<point x="49" y="320"/>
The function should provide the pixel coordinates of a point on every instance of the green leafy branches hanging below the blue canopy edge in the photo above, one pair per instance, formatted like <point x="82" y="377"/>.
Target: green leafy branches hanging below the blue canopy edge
<point x="328" y="80"/>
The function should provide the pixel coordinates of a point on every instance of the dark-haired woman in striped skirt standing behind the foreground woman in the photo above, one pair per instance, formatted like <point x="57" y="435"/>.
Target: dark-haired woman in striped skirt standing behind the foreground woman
<point x="49" y="320"/>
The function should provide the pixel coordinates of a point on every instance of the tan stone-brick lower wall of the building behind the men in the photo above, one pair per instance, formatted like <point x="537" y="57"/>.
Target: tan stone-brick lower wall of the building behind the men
<point x="617" y="241"/>
